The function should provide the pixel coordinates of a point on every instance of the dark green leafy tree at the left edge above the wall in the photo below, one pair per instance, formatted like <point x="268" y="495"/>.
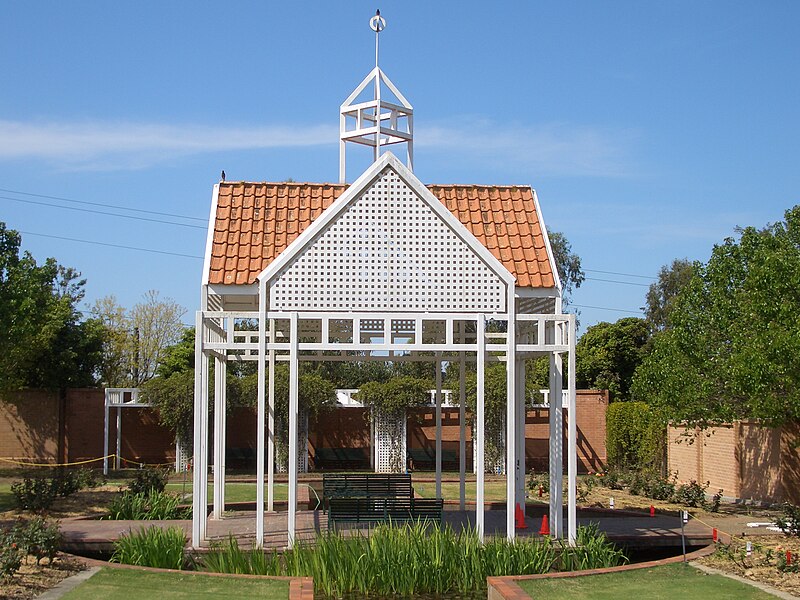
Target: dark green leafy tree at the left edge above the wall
<point x="44" y="343"/>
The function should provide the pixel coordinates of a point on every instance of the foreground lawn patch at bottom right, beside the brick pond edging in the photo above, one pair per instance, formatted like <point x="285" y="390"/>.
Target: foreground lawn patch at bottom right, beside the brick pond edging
<point x="667" y="583"/>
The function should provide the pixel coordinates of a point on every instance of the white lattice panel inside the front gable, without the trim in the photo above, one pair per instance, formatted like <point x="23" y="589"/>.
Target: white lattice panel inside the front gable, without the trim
<point x="388" y="251"/>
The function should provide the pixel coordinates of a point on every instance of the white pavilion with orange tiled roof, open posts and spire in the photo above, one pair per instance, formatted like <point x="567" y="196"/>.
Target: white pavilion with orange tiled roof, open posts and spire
<point x="384" y="268"/>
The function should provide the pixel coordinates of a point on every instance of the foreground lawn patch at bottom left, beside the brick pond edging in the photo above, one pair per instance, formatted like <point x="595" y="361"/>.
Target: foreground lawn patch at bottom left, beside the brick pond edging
<point x="123" y="584"/>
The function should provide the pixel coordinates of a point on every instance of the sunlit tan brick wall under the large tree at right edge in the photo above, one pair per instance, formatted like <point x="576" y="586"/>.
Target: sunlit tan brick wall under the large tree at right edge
<point x="745" y="460"/>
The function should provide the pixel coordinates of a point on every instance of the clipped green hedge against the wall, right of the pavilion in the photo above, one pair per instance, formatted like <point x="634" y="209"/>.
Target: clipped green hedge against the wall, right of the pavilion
<point x="635" y="436"/>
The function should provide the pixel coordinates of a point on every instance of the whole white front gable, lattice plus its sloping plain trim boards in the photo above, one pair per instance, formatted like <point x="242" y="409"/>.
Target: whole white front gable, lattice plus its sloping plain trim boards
<point x="416" y="255"/>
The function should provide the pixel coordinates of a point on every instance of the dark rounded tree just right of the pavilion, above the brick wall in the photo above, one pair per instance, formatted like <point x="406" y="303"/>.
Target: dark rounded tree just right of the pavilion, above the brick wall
<point x="606" y="356"/>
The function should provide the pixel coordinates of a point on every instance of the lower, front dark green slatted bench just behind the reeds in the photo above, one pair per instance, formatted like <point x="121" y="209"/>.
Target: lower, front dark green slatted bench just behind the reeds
<point x="363" y="510"/>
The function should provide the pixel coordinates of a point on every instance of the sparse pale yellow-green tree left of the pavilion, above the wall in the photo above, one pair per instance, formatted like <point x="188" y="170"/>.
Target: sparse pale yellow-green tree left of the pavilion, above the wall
<point x="136" y="341"/>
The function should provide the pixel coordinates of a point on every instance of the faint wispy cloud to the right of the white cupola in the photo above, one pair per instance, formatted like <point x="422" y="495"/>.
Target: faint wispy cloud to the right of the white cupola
<point x="545" y="149"/>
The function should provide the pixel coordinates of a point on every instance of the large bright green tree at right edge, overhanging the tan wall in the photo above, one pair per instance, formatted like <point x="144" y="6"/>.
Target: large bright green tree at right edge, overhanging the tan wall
<point x="733" y="348"/>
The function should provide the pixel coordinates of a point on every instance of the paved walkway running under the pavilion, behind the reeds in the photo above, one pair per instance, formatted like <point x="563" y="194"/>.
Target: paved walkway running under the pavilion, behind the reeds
<point x="82" y="534"/>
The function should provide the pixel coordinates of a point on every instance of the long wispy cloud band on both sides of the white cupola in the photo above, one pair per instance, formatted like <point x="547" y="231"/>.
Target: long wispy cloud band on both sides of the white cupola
<point x="551" y="149"/>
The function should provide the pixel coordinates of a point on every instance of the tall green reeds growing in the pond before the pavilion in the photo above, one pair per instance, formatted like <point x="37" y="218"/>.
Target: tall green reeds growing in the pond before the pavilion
<point x="410" y="559"/>
